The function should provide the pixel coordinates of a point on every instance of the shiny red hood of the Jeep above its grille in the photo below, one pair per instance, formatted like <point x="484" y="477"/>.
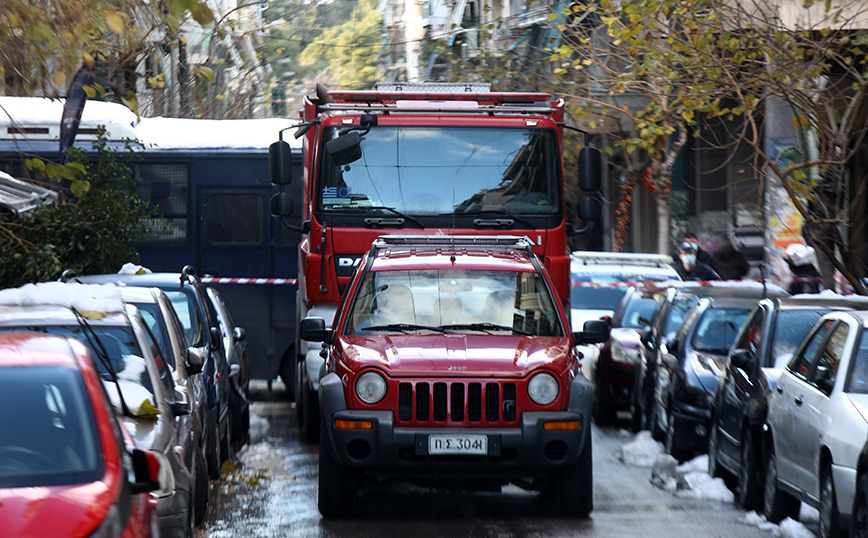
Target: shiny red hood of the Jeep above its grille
<point x="454" y="355"/>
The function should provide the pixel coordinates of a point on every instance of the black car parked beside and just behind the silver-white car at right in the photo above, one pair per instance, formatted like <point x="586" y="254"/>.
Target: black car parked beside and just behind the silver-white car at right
<point x="764" y="345"/>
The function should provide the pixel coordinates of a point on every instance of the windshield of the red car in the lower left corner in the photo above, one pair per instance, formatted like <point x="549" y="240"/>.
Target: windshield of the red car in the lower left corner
<point x="49" y="435"/>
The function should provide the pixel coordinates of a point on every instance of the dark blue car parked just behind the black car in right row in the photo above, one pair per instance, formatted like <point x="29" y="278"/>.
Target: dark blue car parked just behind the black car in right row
<point x="691" y="366"/>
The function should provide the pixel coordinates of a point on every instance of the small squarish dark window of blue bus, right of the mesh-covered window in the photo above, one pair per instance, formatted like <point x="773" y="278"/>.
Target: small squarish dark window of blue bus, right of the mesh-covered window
<point x="234" y="219"/>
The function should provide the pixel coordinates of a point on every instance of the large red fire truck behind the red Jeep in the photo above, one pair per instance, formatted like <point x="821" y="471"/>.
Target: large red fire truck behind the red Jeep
<point x="428" y="158"/>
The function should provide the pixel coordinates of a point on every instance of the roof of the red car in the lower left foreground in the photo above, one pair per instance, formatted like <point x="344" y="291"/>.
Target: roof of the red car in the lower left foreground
<point x="24" y="348"/>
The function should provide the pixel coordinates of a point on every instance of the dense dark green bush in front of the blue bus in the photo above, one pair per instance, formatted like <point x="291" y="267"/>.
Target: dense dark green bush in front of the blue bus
<point x="93" y="233"/>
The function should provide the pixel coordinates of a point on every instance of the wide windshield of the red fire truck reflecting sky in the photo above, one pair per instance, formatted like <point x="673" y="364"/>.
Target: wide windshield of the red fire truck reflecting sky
<point x="435" y="170"/>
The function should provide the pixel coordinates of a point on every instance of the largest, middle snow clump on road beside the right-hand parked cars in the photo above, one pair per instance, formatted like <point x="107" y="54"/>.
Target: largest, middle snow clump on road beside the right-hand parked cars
<point x="690" y="479"/>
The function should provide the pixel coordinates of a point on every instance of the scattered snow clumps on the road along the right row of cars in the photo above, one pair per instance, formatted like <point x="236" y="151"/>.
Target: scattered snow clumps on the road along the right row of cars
<point x="691" y="480"/>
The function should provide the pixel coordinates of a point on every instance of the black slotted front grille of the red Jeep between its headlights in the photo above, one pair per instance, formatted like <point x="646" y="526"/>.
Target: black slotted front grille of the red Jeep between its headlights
<point x="459" y="401"/>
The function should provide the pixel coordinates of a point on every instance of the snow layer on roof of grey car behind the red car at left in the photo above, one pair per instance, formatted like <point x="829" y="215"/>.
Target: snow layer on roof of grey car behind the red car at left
<point x="82" y="297"/>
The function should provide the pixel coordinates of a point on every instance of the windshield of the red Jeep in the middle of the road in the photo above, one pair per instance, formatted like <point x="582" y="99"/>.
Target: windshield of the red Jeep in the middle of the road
<point x="453" y="301"/>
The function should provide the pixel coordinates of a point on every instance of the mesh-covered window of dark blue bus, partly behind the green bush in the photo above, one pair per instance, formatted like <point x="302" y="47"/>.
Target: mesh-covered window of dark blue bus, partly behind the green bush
<point x="164" y="187"/>
